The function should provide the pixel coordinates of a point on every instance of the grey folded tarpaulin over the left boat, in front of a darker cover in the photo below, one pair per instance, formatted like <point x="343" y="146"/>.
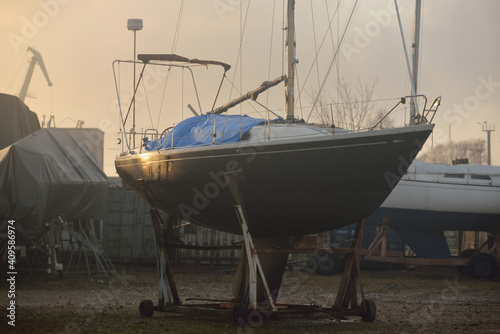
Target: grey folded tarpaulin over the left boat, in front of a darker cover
<point x="49" y="174"/>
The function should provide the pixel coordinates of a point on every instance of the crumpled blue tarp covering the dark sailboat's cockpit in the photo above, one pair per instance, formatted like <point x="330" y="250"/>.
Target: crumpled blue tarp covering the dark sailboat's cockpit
<point x="198" y="131"/>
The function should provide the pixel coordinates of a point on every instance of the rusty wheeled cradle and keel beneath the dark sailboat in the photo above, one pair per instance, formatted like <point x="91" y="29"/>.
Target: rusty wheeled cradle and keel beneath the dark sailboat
<point x="260" y="271"/>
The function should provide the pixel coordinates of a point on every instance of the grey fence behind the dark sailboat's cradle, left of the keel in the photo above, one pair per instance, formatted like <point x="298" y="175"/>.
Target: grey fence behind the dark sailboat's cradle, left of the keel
<point x="128" y="234"/>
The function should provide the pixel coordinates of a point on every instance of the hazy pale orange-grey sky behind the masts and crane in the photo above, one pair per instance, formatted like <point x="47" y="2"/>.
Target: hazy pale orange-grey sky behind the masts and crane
<point x="79" y="40"/>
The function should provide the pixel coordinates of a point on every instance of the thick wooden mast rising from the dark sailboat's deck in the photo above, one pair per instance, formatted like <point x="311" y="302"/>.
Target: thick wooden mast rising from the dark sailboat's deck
<point x="290" y="48"/>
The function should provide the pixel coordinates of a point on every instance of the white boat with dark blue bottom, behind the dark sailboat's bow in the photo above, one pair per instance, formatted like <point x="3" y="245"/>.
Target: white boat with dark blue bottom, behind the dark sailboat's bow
<point x="433" y="198"/>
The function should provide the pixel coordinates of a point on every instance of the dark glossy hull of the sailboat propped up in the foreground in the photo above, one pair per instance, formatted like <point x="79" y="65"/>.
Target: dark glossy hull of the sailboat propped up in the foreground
<point x="290" y="187"/>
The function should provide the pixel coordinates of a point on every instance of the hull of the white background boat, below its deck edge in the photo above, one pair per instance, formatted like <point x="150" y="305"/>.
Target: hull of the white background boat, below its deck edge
<point x="438" y="206"/>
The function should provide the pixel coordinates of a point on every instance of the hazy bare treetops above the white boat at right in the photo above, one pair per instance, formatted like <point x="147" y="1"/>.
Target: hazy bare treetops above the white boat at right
<point x="472" y="149"/>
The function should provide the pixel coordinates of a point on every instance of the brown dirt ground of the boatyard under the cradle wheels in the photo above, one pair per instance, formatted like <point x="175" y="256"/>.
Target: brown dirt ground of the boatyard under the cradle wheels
<point x="418" y="300"/>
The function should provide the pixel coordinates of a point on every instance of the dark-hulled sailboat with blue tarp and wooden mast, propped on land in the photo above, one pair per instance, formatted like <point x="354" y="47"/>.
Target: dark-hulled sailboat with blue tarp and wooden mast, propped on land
<point x="298" y="178"/>
